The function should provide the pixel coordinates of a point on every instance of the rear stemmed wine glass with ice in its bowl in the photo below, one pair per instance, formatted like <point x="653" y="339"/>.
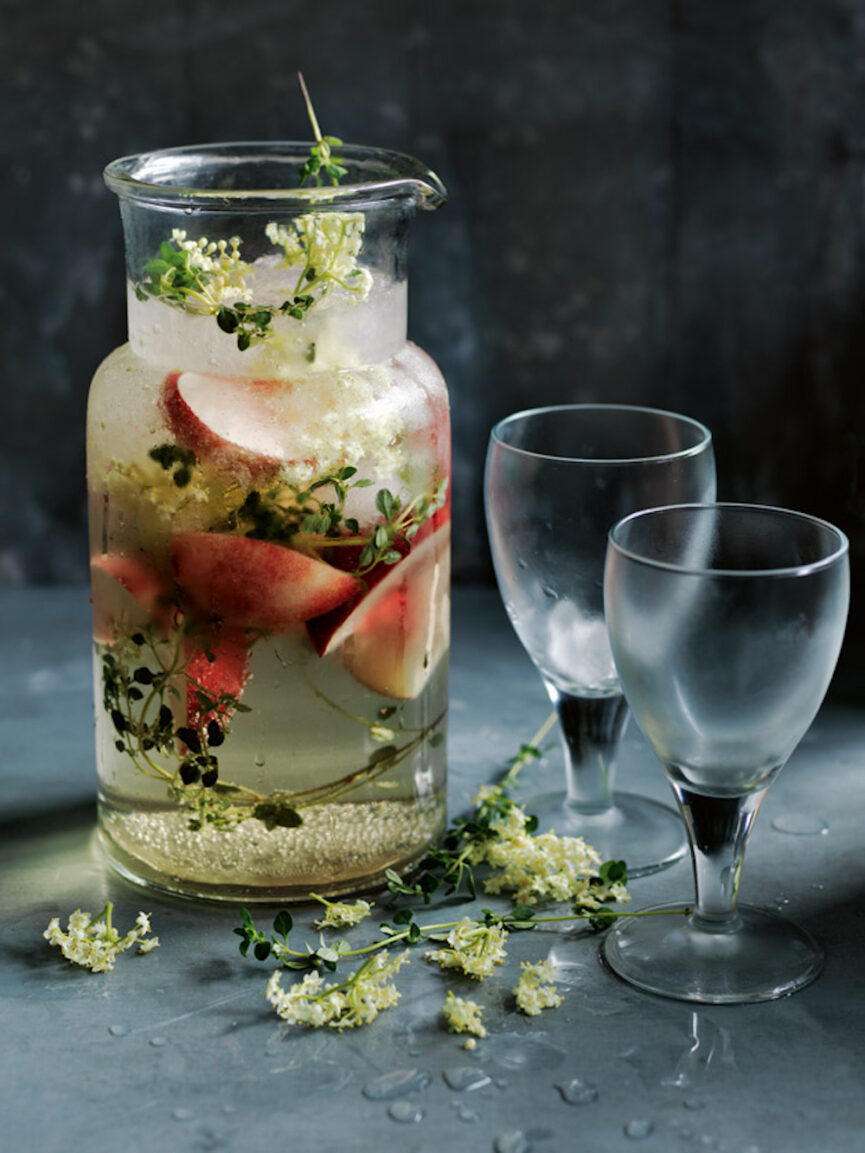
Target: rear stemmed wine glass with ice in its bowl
<point x="558" y="479"/>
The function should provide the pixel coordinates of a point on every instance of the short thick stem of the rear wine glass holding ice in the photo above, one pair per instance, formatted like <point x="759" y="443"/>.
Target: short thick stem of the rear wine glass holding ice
<point x="592" y="728"/>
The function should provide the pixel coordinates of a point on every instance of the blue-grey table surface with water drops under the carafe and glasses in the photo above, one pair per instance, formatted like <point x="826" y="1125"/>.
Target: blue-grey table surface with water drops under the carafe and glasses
<point x="179" y="1050"/>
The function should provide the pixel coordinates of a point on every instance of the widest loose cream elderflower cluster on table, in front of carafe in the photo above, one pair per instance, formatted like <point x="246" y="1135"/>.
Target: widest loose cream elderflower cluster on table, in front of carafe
<point x="357" y="1001"/>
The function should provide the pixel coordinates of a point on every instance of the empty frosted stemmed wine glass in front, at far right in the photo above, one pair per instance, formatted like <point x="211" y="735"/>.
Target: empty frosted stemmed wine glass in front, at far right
<point x="726" y="623"/>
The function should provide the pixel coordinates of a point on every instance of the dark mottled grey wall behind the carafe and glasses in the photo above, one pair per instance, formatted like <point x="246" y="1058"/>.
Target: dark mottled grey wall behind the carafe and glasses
<point x="652" y="201"/>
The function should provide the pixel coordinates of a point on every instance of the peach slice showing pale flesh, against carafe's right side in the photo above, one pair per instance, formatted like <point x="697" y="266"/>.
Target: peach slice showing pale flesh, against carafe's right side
<point x="396" y="636"/>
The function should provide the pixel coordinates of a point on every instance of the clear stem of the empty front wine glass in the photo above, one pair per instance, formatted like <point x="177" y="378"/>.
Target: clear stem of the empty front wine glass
<point x="718" y="830"/>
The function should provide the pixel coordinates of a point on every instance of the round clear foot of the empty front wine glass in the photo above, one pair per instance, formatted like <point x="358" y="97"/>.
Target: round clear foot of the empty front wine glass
<point x="764" y="959"/>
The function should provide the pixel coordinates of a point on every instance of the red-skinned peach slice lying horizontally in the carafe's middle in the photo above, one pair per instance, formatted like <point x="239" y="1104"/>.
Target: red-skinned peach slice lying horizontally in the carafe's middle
<point x="254" y="584"/>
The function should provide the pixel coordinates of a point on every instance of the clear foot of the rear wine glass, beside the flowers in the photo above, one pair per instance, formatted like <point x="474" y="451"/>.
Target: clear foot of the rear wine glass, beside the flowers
<point x="645" y="834"/>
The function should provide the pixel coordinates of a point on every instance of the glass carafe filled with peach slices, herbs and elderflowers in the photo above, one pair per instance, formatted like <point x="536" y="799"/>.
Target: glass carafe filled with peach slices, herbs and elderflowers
<point x="268" y="470"/>
